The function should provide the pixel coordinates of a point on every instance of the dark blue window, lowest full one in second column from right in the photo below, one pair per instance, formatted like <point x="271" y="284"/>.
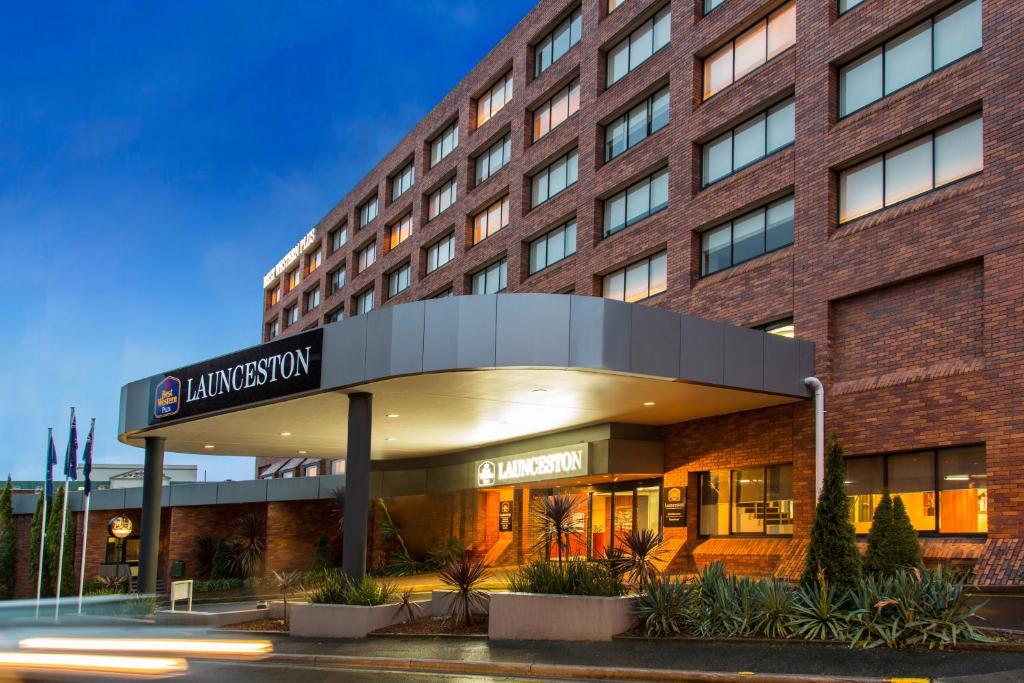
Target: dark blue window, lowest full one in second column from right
<point x="748" y="237"/>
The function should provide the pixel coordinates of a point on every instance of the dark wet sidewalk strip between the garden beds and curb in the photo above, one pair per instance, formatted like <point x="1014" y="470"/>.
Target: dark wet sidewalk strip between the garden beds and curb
<point x="807" y="661"/>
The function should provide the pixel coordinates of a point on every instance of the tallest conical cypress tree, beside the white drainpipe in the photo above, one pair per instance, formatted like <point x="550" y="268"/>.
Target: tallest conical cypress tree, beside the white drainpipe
<point x="833" y="550"/>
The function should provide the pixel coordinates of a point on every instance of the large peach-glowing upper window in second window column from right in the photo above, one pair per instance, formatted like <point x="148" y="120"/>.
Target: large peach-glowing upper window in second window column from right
<point x="759" y="45"/>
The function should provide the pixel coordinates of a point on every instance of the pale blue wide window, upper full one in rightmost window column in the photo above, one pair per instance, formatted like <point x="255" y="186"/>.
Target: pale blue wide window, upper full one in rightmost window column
<point x="936" y="42"/>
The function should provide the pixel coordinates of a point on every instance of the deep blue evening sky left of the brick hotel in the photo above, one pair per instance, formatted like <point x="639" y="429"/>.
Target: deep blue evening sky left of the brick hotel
<point x="157" y="159"/>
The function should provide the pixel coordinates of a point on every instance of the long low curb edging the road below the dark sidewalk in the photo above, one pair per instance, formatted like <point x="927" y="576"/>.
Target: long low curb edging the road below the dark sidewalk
<point x="558" y="671"/>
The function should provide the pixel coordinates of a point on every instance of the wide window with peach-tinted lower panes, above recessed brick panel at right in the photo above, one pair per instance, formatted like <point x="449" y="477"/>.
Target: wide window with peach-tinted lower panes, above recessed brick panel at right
<point x="935" y="160"/>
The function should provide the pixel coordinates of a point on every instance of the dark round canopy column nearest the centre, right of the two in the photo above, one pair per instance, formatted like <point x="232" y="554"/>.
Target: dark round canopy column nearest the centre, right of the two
<point x="358" y="485"/>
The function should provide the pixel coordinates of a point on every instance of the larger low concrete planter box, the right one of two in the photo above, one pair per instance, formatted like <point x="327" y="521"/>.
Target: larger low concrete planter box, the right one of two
<point x="541" y="617"/>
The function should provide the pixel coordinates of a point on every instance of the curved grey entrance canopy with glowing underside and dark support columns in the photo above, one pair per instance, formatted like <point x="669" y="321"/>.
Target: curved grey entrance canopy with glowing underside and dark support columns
<point x="430" y="383"/>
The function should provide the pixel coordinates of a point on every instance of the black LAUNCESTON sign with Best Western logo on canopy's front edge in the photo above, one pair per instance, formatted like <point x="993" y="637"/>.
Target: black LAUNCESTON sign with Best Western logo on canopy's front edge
<point x="263" y="373"/>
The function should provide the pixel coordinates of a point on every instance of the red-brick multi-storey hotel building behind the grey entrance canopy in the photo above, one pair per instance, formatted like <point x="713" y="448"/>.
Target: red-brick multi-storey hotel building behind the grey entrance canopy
<point x="847" y="174"/>
